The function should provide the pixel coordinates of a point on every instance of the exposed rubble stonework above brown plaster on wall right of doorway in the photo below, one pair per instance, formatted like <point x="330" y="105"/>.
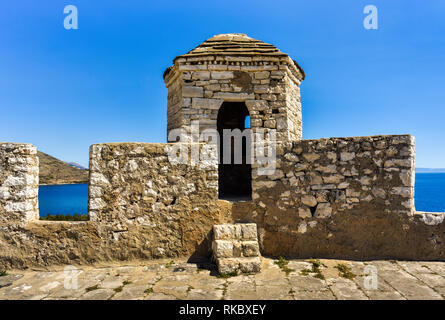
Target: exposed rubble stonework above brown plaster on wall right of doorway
<point x="329" y="176"/>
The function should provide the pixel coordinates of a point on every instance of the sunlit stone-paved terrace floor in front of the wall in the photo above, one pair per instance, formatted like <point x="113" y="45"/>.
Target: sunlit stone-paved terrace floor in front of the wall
<point x="167" y="279"/>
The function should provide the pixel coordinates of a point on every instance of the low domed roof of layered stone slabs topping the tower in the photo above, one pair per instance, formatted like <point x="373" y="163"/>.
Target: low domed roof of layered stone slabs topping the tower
<point x="234" y="44"/>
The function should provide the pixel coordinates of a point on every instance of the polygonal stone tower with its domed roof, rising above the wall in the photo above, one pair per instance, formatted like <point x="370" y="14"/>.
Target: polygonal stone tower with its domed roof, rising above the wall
<point x="234" y="76"/>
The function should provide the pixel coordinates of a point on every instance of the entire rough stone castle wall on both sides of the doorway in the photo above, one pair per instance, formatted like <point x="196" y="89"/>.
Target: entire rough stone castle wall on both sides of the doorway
<point x="334" y="198"/>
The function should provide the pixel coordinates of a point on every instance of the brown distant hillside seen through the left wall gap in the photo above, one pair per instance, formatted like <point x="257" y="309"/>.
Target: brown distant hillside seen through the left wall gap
<point x="55" y="171"/>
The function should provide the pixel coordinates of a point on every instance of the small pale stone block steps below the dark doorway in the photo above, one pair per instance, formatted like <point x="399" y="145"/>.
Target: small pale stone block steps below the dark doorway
<point x="235" y="248"/>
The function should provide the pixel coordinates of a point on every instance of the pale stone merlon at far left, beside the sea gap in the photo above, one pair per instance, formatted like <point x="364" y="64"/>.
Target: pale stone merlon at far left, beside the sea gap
<point x="19" y="182"/>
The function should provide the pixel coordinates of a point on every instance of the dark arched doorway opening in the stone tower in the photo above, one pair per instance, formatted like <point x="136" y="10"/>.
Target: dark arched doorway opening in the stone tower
<point x="235" y="180"/>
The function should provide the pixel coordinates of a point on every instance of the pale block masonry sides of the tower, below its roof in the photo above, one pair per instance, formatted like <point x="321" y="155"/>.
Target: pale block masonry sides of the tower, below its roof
<point x="264" y="83"/>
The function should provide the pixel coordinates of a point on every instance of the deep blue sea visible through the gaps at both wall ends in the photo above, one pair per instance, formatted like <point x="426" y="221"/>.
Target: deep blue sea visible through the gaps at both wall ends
<point x="73" y="198"/>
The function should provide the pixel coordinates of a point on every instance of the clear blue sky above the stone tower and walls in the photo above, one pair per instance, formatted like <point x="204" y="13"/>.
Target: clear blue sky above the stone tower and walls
<point x="63" y="90"/>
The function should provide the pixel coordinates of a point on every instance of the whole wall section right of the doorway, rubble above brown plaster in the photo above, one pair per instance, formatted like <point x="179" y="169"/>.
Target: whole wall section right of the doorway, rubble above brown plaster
<point x="344" y="198"/>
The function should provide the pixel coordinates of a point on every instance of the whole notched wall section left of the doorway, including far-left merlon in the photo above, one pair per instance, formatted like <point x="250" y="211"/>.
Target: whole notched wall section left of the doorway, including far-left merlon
<point x="141" y="207"/>
